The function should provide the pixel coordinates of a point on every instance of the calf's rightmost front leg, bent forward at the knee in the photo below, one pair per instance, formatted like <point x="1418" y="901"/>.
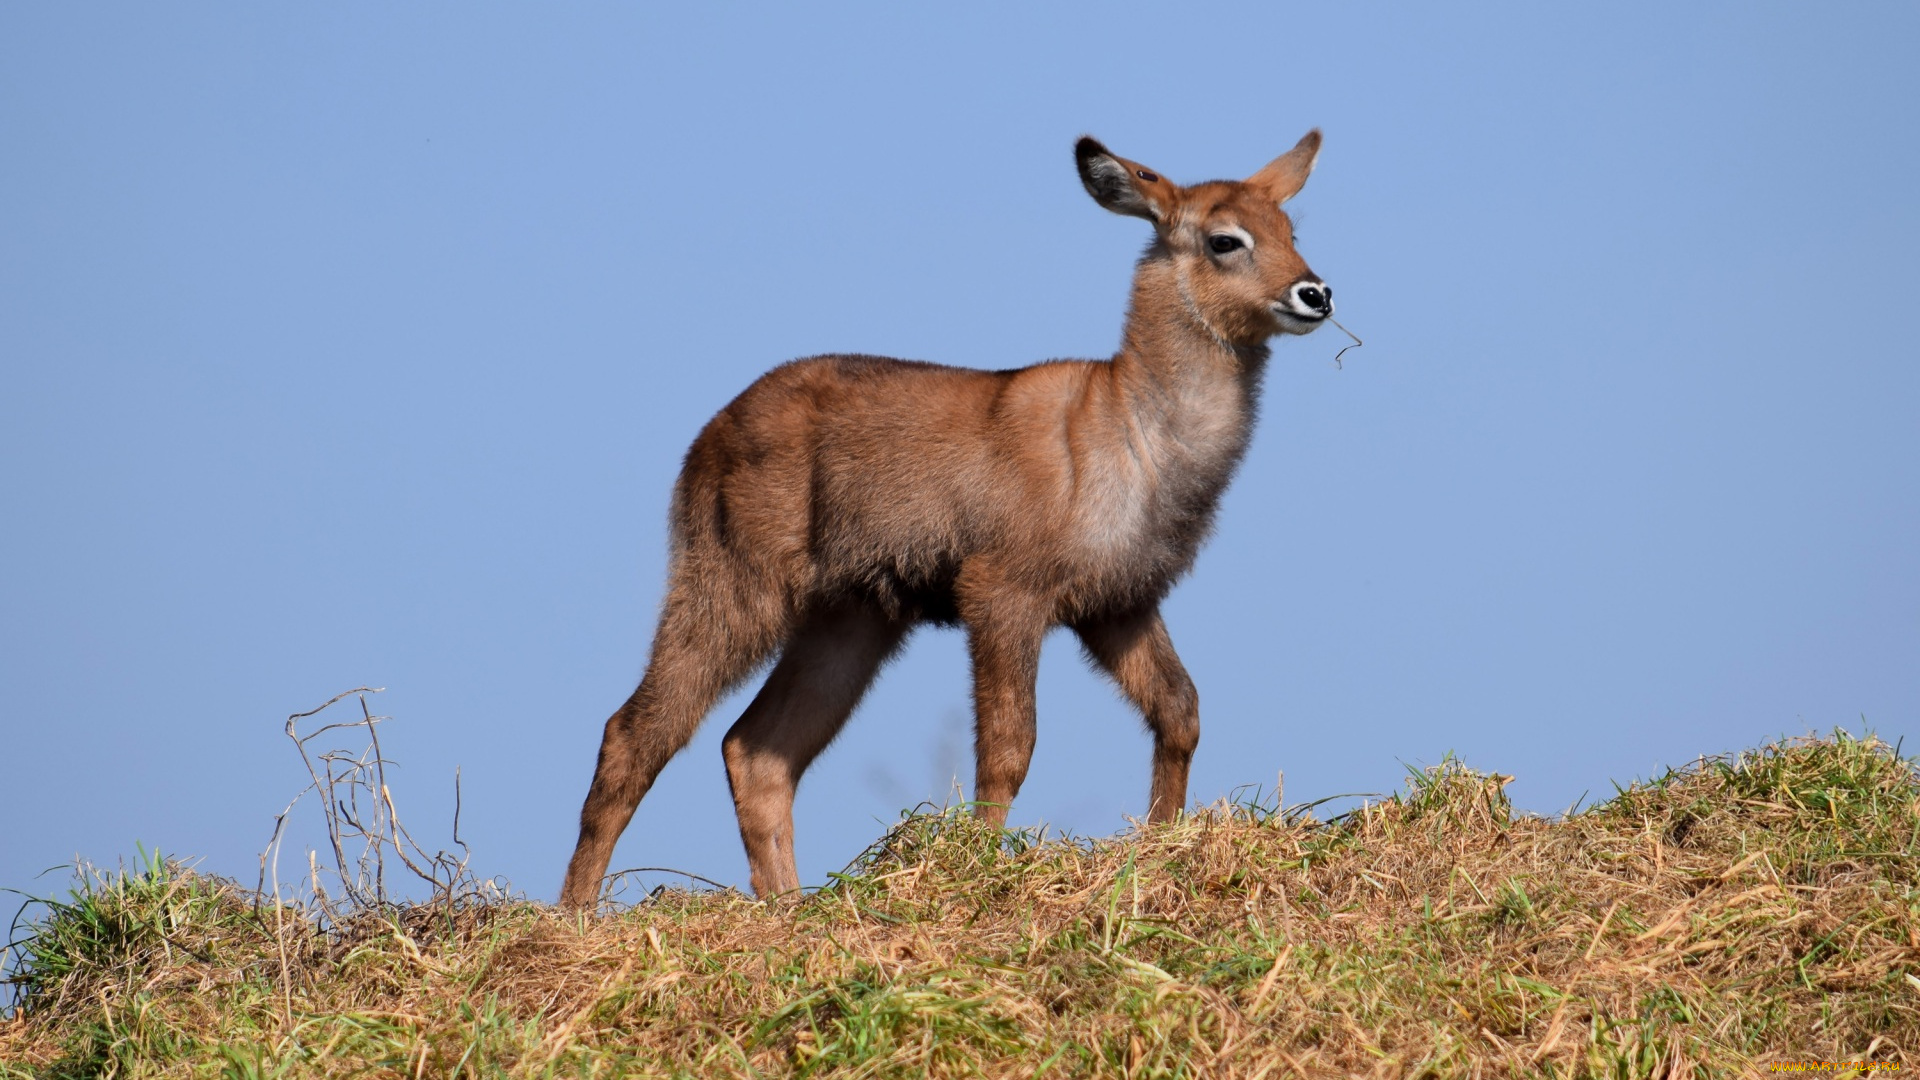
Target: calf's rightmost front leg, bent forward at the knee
<point x="1138" y="652"/>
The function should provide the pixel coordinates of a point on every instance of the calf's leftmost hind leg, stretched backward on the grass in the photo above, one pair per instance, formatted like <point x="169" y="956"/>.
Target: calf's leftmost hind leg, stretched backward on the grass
<point x="711" y="637"/>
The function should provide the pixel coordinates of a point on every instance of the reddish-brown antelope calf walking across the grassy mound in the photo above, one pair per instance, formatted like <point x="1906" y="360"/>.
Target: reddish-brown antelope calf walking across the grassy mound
<point x="844" y="501"/>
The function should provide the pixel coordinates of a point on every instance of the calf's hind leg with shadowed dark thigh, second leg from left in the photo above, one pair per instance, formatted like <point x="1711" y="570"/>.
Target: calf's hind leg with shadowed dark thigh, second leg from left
<point x="815" y="687"/>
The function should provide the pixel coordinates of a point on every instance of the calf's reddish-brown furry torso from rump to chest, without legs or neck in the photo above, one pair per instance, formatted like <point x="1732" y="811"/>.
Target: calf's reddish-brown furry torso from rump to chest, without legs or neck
<point x="882" y="478"/>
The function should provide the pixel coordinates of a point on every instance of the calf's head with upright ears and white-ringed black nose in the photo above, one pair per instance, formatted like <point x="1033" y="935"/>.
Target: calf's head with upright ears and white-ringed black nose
<point x="1230" y="241"/>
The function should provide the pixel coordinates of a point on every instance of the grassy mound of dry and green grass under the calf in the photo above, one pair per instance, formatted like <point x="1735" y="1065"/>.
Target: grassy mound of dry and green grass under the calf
<point x="1729" y="916"/>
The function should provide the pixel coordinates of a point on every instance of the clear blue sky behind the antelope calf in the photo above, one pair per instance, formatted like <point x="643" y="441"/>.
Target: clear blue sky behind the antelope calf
<point x="360" y="347"/>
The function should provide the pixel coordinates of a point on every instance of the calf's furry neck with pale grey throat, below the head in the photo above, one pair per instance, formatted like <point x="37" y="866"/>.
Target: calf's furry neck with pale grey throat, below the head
<point x="1193" y="395"/>
